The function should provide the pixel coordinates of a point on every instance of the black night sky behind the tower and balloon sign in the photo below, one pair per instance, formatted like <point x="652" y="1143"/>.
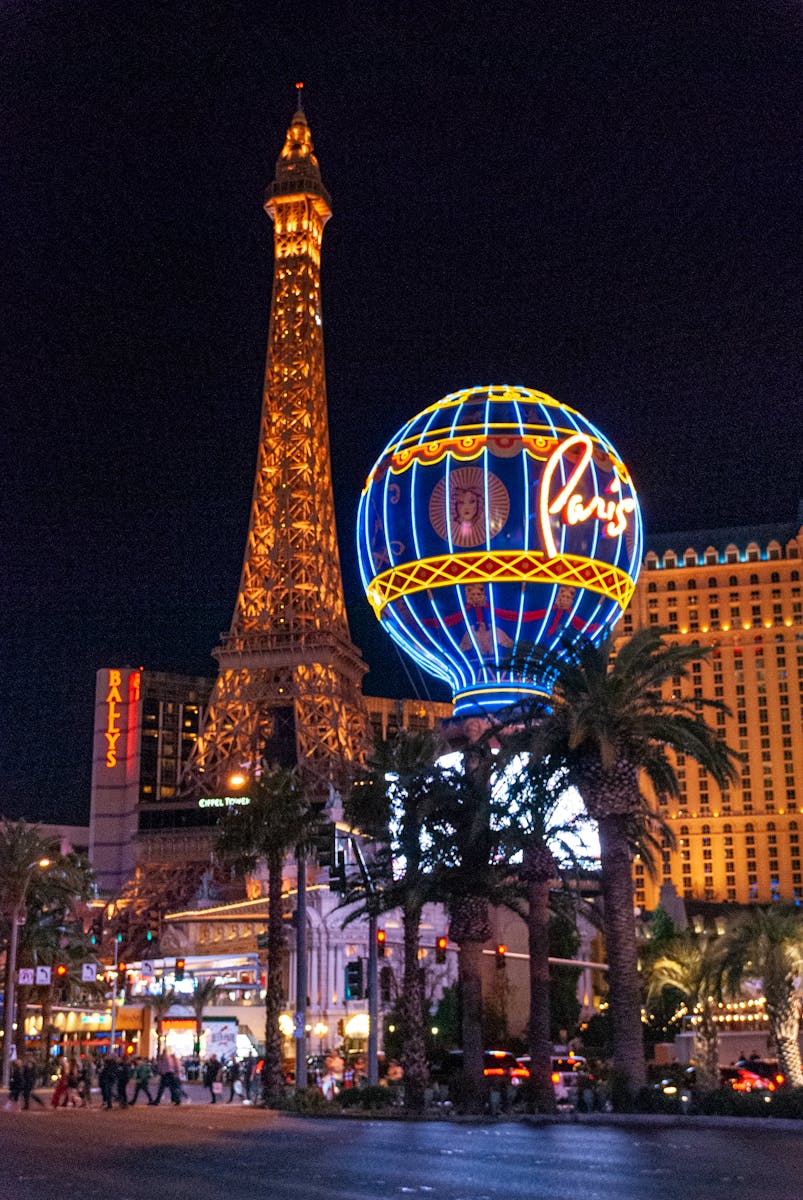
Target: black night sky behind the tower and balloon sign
<point x="597" y="200"/>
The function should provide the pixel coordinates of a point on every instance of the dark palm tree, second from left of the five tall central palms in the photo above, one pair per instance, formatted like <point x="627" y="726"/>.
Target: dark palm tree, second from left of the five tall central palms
<point x="389" y="803"/>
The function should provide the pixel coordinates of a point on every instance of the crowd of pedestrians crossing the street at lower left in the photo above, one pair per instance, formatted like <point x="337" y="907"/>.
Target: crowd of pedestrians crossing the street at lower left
<point x="123" y="1082"/>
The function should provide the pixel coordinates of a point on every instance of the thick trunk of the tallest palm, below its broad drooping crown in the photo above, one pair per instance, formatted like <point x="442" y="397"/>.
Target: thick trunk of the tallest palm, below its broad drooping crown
<point x="627" y="1034"/>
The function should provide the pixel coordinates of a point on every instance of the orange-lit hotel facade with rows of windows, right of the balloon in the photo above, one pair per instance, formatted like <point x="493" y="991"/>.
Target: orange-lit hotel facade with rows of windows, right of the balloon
<point x="738" y="592"/>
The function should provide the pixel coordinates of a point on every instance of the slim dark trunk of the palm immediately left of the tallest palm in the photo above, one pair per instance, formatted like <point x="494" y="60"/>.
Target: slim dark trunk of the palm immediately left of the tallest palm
<point x="541" y="1042"/>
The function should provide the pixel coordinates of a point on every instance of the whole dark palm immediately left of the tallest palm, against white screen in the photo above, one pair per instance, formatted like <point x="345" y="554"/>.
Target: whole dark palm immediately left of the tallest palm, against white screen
<point x="534" y="833"/>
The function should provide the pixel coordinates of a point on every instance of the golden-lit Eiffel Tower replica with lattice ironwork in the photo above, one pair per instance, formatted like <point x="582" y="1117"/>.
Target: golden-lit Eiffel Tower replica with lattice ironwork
<point x="289" y="688"/>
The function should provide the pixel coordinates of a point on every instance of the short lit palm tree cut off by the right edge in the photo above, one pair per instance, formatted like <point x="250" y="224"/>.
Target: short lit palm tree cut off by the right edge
<point x="768" y="945"/>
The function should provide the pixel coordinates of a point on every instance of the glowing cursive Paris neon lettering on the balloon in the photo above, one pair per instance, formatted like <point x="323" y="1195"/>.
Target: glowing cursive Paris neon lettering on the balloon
<point x="574" y="509"/>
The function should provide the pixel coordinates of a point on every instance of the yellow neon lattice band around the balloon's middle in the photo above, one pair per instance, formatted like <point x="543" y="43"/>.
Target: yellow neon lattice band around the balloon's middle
<point x="500" y="567"/>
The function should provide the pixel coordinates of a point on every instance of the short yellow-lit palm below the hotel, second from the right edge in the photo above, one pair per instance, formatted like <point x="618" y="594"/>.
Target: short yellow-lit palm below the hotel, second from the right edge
<point x="691" y="964"/>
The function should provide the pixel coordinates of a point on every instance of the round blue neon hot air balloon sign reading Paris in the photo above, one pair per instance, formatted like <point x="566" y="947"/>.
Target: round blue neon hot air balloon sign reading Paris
<point x="498" y="519"/>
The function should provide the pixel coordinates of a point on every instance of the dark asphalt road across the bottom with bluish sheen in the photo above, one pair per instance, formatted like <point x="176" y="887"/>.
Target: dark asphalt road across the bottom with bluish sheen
<point x="230" y="1153"/>
